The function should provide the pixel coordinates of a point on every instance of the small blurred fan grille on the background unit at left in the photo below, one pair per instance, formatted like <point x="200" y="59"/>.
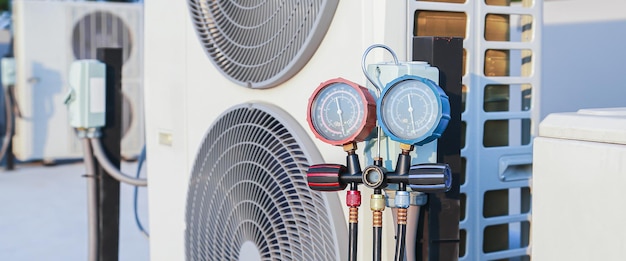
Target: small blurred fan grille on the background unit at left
<point x="100" y="29"/>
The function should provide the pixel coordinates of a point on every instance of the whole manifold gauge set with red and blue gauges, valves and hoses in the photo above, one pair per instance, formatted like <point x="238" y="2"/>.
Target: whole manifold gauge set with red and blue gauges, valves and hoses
<point x="405" y="107"/>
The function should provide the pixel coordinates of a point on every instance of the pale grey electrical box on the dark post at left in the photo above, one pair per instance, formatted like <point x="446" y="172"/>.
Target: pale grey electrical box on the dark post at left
<point x="86" y="100"/>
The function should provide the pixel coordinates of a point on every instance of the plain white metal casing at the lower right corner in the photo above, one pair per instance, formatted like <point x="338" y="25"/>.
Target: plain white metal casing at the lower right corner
<point x="578" y="182"/>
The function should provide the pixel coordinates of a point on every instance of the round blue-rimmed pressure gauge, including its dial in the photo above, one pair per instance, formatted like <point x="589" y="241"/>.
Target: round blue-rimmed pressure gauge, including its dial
<point x="413" y="110"/>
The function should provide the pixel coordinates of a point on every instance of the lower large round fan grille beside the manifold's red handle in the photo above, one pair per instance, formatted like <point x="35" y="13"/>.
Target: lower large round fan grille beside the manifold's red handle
<point x="248" y="198"/>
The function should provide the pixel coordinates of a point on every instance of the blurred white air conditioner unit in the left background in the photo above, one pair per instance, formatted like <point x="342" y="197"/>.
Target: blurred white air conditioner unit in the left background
<point x="49" y="36"/>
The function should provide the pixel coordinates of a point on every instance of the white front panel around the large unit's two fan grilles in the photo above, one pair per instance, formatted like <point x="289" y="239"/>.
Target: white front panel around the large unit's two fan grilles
<point x="183" y="101"/>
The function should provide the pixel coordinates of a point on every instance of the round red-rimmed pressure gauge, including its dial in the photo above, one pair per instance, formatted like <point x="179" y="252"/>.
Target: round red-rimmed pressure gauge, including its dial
<point x="341" y="112"/>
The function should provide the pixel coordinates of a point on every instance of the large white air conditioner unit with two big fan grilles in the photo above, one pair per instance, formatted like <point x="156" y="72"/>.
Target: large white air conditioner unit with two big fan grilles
<point x="227" y="135"/>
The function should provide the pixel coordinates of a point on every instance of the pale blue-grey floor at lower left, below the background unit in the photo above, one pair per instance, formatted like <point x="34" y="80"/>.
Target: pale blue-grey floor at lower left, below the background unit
<point x="43" y="214"/>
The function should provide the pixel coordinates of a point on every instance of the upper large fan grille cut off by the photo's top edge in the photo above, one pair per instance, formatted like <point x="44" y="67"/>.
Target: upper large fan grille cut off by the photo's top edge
<point x="260" y="44"/>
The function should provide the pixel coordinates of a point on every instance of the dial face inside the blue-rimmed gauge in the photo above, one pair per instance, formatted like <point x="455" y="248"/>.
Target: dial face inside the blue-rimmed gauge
<point x="410" y="109"/>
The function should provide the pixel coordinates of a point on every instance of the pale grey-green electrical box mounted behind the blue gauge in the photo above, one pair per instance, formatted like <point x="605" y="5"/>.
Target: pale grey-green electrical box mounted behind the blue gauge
<point x="382" y="74"/>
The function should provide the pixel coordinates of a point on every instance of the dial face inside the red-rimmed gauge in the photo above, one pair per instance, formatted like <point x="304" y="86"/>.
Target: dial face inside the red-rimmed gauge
<point x="337" y="112"/>
